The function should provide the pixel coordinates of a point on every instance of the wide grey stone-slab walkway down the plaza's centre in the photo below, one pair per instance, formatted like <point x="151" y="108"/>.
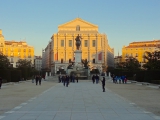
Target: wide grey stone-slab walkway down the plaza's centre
<point x="79" y="101"/>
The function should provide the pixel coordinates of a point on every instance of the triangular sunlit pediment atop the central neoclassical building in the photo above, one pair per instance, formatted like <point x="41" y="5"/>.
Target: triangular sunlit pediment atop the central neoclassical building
<point x="78" y="22"/>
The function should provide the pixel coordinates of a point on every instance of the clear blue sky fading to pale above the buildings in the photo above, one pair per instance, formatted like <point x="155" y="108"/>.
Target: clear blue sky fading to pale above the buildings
<point x="124" y="21"/>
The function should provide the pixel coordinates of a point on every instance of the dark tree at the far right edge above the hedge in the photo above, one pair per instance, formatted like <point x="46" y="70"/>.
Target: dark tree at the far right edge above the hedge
<point x="153" y="60"/>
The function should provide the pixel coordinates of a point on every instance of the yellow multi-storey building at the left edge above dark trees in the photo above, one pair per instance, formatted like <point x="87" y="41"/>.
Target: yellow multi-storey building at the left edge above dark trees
<point x="16" y="50"/>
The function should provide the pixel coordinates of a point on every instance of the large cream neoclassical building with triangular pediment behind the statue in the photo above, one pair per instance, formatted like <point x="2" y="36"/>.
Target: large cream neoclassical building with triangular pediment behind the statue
<point x="94" y="45"/>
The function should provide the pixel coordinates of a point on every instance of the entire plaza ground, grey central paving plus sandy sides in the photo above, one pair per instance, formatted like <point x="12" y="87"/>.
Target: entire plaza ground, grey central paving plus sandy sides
<point x="79" y="101"/>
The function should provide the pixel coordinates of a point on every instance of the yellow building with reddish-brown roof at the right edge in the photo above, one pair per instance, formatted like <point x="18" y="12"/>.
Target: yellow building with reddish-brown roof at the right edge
<point x="138" y="49"/>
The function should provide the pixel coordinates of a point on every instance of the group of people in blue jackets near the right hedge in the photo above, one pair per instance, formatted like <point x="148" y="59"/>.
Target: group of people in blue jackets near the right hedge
<point x="119" y="79"/>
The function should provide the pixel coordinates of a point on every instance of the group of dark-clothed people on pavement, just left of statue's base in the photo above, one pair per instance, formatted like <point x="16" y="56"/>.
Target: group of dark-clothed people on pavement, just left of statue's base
<point x="66" y="79"/>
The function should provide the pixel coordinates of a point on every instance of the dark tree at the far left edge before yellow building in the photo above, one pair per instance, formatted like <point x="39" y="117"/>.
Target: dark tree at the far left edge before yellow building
<point x="4" y="62"/>
